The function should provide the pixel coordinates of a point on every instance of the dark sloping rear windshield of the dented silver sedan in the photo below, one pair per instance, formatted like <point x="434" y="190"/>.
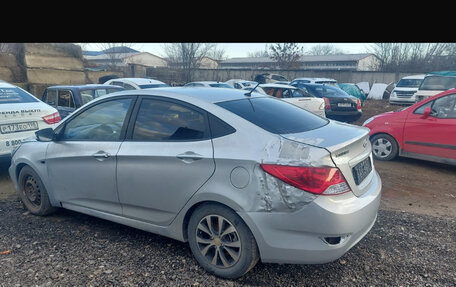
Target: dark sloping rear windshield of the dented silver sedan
<point x="275" y="116"/>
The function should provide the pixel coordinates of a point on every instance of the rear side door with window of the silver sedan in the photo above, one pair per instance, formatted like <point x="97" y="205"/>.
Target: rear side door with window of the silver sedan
<point x="167" y="160"/>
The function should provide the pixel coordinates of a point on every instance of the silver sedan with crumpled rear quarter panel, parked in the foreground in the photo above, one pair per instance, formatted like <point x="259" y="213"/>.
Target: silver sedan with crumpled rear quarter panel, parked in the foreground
<point x="240" y="177"/>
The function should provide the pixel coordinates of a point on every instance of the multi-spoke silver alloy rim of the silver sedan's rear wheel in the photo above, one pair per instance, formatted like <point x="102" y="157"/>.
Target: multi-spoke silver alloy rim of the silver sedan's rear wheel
<point x="218" y="241"/>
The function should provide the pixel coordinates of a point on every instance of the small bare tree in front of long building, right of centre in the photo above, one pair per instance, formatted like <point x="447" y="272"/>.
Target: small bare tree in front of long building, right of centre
<point x="287" y="55"/>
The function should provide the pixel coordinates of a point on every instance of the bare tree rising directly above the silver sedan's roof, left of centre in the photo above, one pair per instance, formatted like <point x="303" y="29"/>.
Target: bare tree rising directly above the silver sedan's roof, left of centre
<point x="187" y="56"/>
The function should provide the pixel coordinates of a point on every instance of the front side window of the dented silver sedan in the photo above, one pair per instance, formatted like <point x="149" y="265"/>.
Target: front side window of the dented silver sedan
<point x="102" y="122"/>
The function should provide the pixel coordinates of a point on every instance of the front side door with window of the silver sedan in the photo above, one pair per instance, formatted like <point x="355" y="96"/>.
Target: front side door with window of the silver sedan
<point x="82" y="165"/>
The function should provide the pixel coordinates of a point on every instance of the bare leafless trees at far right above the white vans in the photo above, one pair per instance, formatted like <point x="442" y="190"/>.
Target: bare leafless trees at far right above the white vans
<point x="414" y="57"/>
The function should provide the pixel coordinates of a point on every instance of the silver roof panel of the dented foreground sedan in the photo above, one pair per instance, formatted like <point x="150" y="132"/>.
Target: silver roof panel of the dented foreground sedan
<point x="198" y="93"/>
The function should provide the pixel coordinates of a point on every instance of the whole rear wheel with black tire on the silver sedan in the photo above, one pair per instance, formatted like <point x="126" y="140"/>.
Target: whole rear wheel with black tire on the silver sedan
<point x="236" y="261"/>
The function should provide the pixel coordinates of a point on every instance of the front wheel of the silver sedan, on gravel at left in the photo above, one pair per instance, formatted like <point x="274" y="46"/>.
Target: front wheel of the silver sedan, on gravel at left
<point x="33" y="193"/>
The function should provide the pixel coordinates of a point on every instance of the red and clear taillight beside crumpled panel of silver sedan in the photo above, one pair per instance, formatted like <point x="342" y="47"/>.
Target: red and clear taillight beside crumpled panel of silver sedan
<point x="318" y="180"/>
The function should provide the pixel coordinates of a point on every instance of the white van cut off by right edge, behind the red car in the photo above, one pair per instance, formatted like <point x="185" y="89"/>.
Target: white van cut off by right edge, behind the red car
<point x="434" y="83"/>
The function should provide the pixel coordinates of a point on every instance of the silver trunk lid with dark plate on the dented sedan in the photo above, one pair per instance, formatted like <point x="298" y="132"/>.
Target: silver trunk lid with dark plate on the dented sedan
<point x="350" y="151"/>
